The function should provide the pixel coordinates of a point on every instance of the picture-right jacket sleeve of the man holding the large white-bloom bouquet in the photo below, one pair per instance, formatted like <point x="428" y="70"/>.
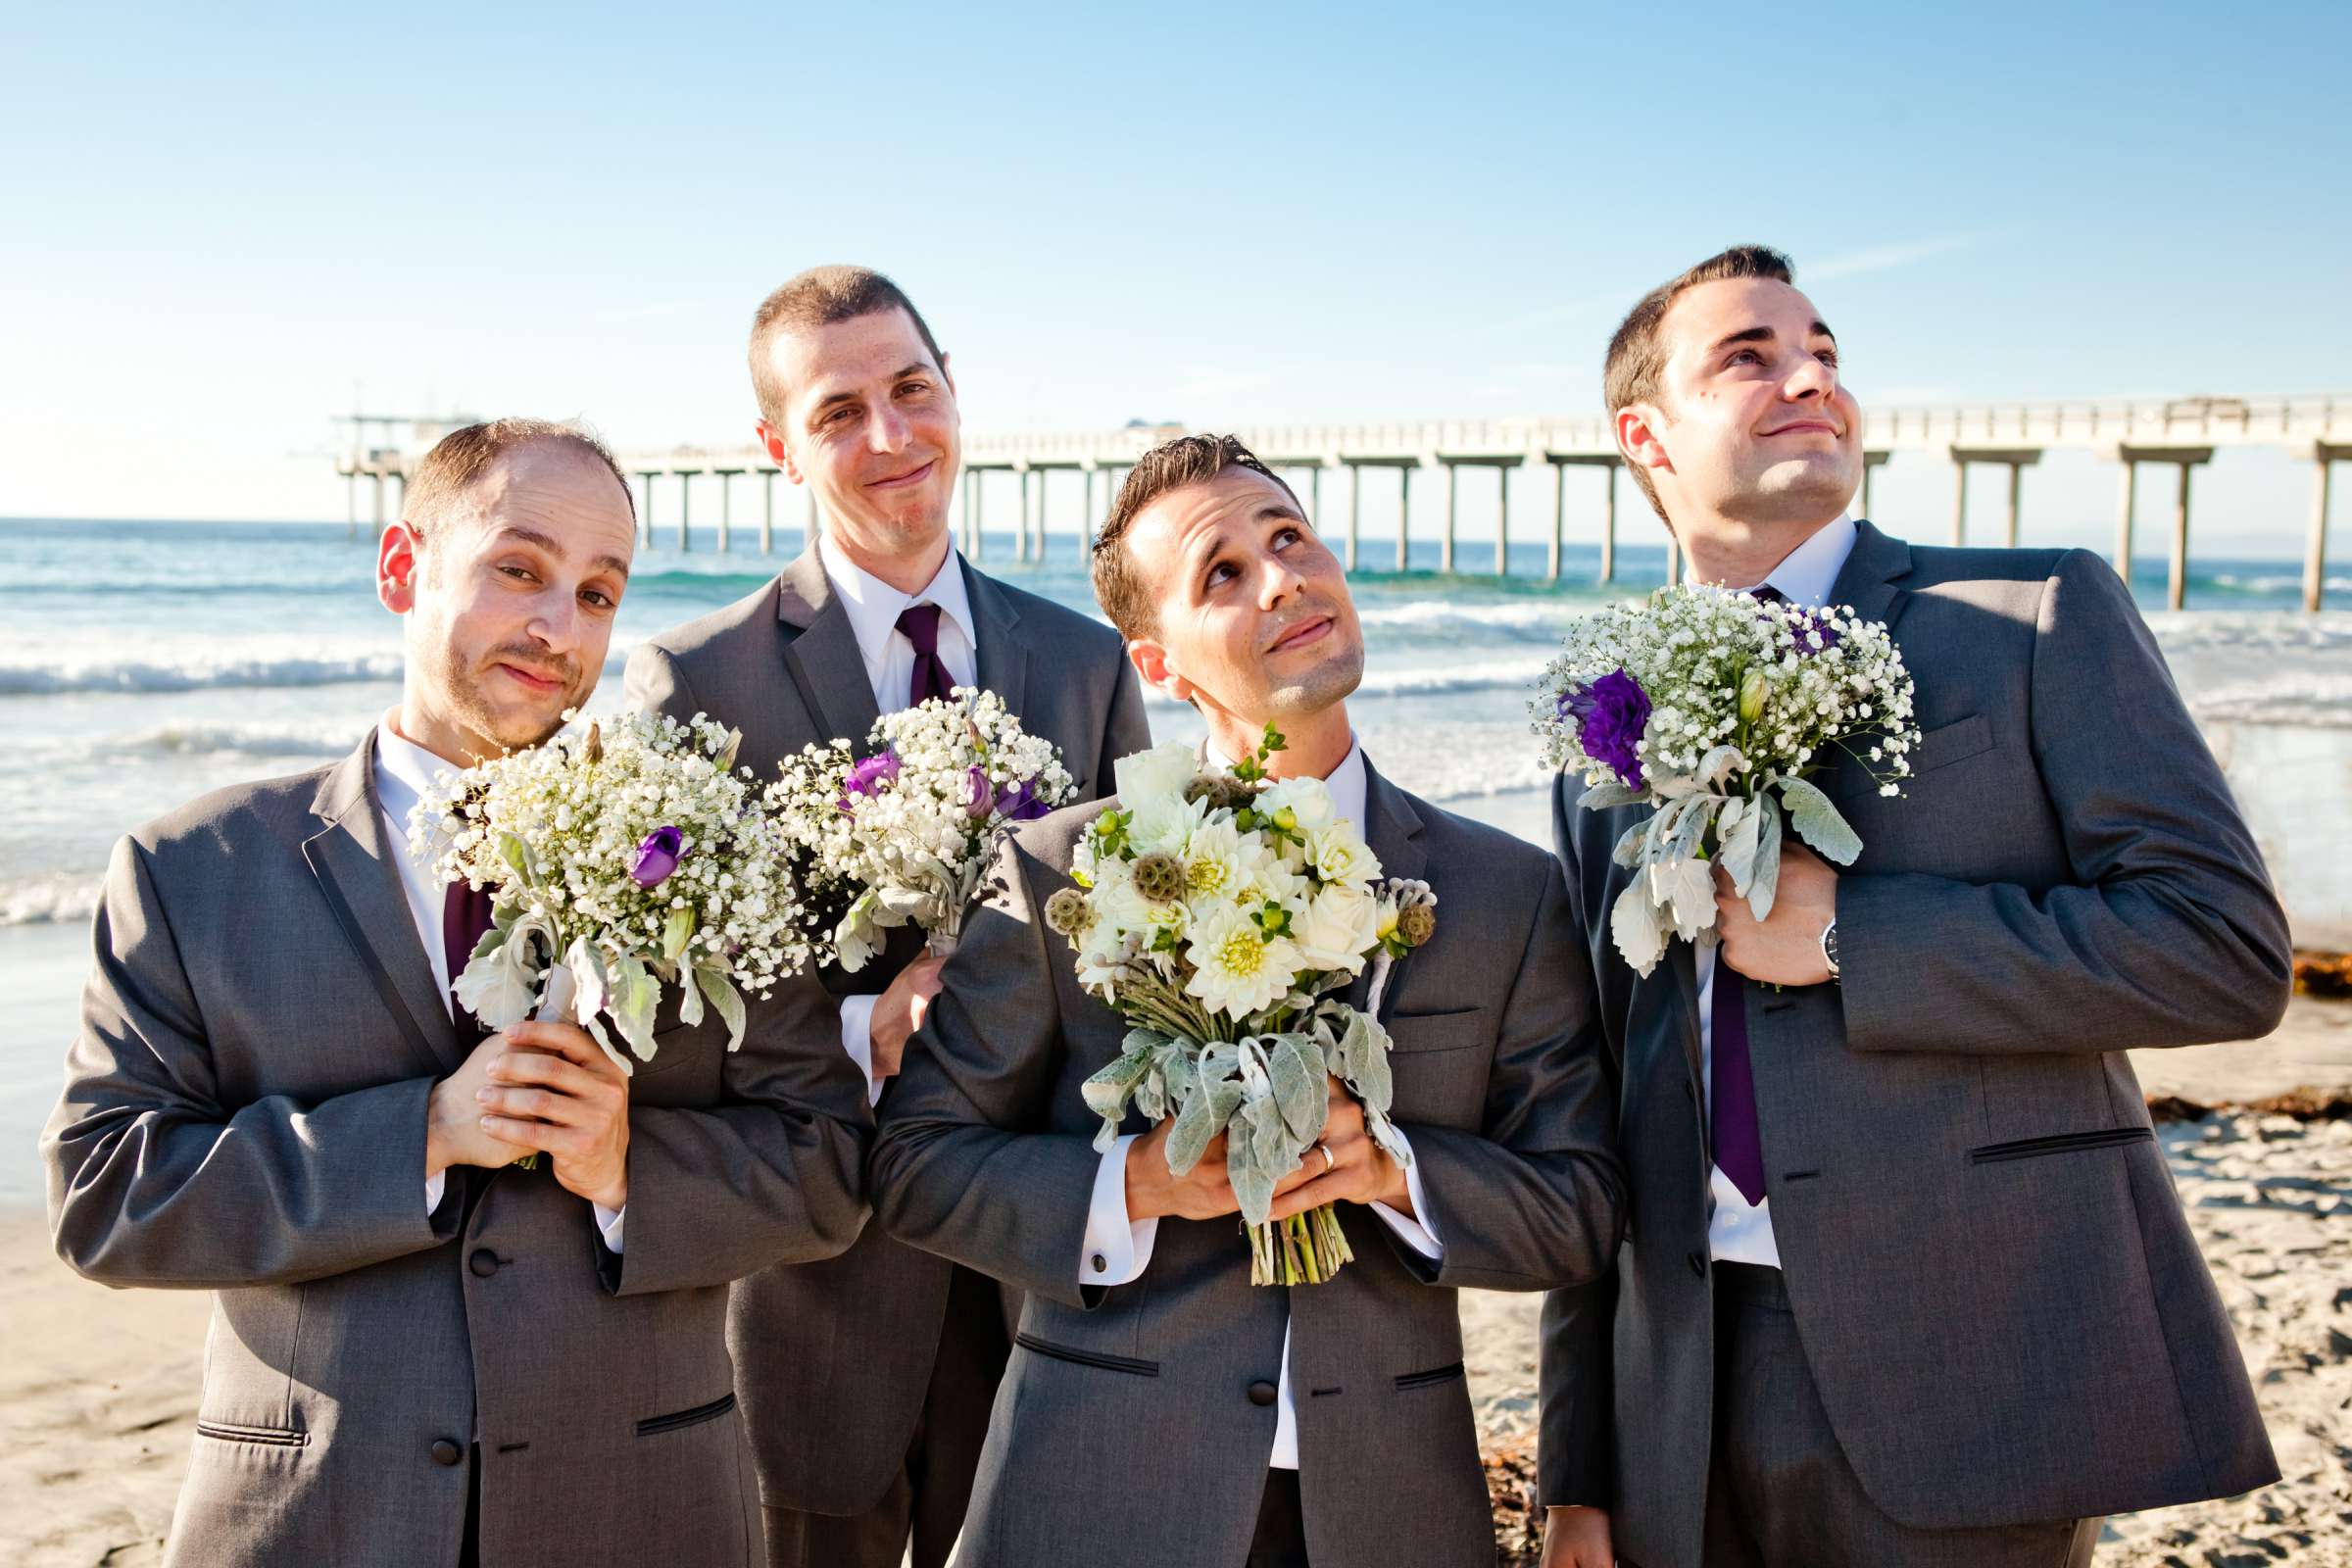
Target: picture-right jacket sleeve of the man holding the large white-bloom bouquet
<point x="1537" y="1195"/>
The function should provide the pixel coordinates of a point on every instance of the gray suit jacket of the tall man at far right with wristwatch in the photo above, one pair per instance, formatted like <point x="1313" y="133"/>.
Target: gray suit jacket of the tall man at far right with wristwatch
<point x="1996" y="1287"/>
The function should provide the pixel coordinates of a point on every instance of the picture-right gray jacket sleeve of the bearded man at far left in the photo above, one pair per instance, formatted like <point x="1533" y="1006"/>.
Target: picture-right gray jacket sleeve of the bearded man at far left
<point x="773" y="1174"/>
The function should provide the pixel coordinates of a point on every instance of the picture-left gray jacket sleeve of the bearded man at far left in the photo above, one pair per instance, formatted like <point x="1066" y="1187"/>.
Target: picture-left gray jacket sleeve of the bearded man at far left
<point x="159" y="1181"/>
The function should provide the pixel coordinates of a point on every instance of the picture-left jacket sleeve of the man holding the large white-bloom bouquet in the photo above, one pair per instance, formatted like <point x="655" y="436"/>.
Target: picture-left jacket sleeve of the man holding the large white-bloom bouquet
<point x="965" y="1165"/>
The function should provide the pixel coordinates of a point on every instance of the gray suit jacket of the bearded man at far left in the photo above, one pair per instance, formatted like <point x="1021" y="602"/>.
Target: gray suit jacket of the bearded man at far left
<point x="246" y="1113"/>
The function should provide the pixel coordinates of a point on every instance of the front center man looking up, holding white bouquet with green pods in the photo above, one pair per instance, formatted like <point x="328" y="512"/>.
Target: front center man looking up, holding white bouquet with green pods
<point x="1161" y="1409"/>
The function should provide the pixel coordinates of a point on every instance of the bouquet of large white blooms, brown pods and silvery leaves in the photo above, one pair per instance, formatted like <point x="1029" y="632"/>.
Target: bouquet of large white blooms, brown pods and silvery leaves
<point x="1215" y="913"/>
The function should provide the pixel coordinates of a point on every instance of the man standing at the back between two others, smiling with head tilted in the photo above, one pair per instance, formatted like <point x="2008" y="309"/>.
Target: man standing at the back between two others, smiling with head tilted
<point x="867" y="1379"/>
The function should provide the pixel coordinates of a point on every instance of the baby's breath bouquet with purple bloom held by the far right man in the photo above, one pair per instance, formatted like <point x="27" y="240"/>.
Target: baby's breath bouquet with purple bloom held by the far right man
<point x="1716" y="709"/>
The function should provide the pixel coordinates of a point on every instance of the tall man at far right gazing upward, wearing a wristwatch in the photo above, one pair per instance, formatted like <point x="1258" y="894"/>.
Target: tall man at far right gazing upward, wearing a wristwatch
<point x="1906" y="1278"/>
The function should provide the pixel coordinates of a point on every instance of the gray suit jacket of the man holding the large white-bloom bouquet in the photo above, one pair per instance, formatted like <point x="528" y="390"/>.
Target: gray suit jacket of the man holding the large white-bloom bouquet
<point x="1125" y="1430"/>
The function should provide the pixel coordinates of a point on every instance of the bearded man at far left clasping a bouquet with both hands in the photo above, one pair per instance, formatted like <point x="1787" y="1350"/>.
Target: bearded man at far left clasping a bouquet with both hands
<point x="420" y="1355"/>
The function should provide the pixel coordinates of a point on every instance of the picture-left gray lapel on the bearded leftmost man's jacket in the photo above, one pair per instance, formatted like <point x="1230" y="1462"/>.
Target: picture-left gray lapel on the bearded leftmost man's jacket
<point x="356" y="871"/>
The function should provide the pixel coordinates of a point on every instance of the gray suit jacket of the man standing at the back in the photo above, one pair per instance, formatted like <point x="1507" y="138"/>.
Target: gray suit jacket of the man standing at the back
<point x="834" y="1360"/>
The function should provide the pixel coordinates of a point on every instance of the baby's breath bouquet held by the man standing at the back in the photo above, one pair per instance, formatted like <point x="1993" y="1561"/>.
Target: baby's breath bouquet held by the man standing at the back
<point x="902" y="836"/>
